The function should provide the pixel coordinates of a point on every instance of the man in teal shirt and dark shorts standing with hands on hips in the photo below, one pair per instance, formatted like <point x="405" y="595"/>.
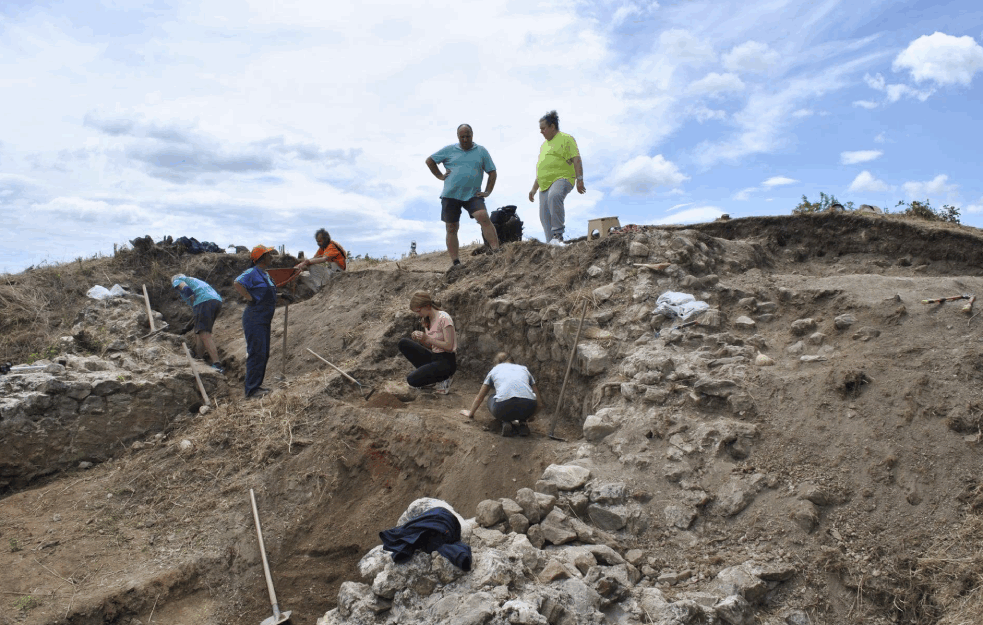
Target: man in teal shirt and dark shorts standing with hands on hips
<point x="465" y="164"/>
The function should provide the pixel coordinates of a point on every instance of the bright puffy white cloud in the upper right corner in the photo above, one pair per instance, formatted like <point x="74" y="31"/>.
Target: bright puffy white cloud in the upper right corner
<point x="942" y="59"/>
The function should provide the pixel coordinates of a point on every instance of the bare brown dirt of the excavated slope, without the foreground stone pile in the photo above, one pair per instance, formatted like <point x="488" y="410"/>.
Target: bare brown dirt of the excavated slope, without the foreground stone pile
<point x="884" y="421"/>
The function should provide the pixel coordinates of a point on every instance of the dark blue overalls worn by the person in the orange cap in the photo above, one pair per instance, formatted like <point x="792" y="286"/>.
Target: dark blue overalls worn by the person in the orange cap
<point x="257" y="320"/>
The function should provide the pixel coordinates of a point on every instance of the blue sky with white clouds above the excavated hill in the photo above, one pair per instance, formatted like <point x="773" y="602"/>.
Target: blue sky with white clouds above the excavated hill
<point x="259" y="122"/>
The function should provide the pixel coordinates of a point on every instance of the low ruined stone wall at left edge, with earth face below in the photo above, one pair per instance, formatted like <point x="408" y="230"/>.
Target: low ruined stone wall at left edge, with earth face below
<point x="85" y="406"/>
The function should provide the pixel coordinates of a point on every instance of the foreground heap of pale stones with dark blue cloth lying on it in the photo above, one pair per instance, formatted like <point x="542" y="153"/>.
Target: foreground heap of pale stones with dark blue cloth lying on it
<point x="553" y="556"/>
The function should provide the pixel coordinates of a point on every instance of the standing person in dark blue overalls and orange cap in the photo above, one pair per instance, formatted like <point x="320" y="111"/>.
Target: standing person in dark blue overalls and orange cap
<point x="257" y="288"/>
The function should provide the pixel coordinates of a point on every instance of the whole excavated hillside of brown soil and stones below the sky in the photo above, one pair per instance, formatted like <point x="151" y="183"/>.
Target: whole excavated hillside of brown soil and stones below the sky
<point x="805" y="450"/>
